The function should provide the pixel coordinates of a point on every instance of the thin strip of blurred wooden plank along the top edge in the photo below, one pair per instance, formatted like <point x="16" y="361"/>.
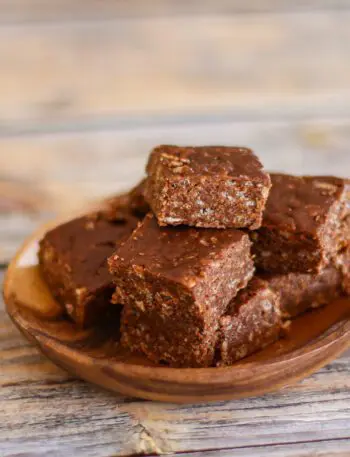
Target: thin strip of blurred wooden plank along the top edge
<point x="58" y="10"/>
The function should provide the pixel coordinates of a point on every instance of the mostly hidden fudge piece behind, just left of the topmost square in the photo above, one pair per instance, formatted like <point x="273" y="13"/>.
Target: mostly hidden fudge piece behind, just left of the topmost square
<point x="122" y="205"/>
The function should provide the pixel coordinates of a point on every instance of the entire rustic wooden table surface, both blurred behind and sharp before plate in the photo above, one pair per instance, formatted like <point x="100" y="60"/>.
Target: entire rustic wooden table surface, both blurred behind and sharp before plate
<point x="86" y="89"/>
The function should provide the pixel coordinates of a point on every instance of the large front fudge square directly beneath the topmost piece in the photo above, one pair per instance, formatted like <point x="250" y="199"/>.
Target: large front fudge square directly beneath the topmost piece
<point x="175" y="284"/>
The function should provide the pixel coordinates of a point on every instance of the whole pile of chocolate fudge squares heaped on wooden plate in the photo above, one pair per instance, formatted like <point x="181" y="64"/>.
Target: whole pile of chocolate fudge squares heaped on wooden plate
<point x="208" y="258"/>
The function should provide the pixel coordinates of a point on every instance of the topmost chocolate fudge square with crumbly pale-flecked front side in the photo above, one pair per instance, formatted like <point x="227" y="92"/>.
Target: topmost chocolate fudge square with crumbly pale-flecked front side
<point x="213" y="187"/>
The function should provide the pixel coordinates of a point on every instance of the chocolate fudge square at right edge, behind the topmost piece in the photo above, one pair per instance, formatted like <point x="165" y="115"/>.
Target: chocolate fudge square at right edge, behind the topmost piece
<point x="305" y="225"/>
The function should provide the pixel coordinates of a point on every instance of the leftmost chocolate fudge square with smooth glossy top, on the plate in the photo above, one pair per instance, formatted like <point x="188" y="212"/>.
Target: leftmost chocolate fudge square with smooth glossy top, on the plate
<point x="73" y="259"/>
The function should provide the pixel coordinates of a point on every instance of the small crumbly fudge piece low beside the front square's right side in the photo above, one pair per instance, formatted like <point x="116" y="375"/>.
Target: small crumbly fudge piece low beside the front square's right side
<point x="252" y="322"/>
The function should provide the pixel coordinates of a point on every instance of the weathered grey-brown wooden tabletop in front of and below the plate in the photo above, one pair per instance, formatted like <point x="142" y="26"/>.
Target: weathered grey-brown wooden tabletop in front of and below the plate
<point x="45" y="411"/>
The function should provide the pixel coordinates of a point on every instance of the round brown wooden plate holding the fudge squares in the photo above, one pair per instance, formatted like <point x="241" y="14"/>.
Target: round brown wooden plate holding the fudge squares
<point x="95" y="355"/>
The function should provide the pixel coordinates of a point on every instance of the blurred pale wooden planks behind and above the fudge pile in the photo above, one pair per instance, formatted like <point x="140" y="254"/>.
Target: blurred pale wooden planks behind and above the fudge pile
<point x="87" y="88"/>
